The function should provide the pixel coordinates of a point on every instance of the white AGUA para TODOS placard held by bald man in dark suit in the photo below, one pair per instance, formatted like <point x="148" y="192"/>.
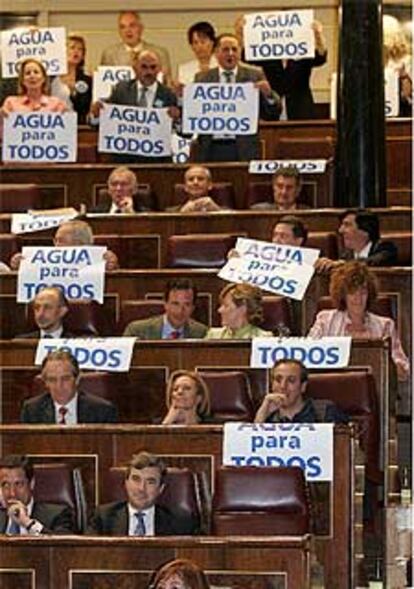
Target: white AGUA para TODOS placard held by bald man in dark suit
<point x="137" y="131"/>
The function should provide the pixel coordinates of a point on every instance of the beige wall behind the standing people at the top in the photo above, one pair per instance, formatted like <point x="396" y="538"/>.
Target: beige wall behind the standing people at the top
<point x="166" y="24"/>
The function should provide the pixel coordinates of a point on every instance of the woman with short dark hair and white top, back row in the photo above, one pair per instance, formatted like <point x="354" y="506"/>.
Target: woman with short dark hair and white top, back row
<point x="202" y="37"/>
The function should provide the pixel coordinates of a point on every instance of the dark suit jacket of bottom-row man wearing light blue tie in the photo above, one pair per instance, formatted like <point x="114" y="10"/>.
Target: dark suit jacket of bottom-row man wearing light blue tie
<point x="112" y="520"/>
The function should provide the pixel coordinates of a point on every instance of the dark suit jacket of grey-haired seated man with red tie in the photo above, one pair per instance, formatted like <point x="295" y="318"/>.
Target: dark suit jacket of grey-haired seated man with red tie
<point x="91" y="409"/>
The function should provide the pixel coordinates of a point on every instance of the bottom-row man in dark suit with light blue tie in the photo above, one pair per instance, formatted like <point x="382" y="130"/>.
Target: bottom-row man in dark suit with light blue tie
<point x="139" y="515"/>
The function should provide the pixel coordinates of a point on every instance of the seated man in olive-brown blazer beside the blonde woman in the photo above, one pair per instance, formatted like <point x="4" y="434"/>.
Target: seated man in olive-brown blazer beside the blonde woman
<point x="176" y="322"/>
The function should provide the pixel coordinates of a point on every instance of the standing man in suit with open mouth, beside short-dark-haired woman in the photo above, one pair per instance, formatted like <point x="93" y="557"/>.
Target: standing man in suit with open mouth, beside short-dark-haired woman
<point x="239" y="147"/>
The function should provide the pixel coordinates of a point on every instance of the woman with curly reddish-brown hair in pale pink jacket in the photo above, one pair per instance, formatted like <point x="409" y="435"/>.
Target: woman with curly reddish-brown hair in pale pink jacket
<point x="353" y="288"/>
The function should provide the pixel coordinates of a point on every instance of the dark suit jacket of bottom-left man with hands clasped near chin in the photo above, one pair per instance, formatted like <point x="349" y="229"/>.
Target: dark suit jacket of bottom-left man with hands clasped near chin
<point x="56" y="518"/>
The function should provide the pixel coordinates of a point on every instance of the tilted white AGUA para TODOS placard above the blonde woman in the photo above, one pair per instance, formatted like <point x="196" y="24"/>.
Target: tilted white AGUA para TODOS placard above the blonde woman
<point x="279" y="269"/>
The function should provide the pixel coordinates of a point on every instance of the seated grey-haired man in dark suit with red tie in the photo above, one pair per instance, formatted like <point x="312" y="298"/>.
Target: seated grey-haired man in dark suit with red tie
<point x="64" y="403"/>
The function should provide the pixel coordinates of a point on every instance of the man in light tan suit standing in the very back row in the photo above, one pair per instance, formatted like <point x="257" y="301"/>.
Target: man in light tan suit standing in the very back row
<point x="130" y="29"/>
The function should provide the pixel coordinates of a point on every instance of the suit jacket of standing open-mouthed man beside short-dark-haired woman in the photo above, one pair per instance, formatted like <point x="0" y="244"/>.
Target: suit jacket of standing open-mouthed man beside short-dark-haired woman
<point x="248" y="146"/>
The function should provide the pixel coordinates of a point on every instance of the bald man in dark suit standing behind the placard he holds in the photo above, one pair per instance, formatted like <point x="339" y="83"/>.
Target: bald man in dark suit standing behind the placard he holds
<point x="145" y="91"/>
